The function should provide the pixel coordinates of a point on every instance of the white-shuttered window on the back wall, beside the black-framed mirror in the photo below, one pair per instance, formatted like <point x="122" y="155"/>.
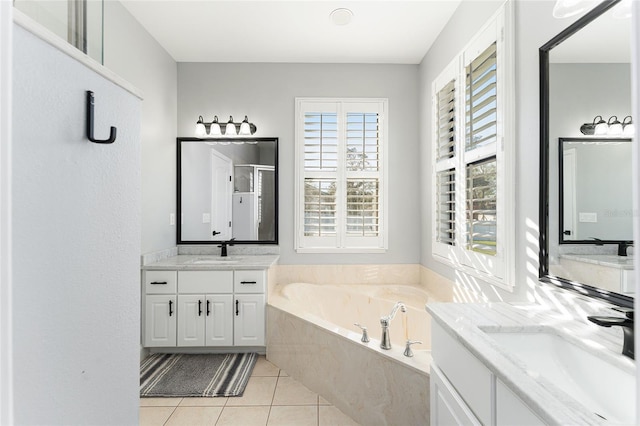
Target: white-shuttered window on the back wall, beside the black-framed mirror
<point x="340" y="175"/>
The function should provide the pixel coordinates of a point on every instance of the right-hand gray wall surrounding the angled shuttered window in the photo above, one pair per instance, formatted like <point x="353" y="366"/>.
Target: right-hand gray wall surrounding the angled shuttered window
<point x="534" y="26"/>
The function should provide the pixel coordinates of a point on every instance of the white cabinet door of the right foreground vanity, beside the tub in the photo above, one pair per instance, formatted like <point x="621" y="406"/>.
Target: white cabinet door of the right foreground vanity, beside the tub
<point x="447" y="407"/>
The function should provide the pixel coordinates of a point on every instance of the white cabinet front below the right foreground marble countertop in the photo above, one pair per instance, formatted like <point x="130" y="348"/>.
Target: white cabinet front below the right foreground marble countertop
<point x="465" y="392"/>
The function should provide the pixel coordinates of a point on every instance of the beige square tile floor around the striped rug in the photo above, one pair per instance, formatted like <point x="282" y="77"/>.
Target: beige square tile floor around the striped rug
<point x="271" y="398"/>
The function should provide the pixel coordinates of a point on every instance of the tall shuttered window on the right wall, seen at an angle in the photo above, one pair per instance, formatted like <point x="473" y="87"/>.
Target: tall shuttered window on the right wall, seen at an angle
<point x="473" y="158"/>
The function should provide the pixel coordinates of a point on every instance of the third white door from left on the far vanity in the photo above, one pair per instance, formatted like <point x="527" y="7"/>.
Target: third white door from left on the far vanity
<point x="219" y="322"/>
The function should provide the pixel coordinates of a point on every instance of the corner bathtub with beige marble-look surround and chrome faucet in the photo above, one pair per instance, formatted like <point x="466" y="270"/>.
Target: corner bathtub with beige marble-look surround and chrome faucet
<point x="311" y="335"/>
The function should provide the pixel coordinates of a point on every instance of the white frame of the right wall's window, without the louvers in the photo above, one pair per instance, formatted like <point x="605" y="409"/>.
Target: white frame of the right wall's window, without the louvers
<point x="498" y="269"/>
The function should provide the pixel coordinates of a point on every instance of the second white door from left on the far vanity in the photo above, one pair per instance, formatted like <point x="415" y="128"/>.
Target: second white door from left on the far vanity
<point x="191" y="318"/>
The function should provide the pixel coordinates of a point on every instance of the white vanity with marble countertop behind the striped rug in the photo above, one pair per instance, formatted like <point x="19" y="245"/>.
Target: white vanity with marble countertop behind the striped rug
<point x="207" y="303"/>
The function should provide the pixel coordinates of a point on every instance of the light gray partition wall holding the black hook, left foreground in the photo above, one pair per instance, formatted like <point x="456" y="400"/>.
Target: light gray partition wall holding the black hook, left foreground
<point x="76" y="246"/>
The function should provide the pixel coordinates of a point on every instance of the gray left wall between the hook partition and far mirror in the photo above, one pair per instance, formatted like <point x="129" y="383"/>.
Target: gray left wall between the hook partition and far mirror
<point x="133" y="54"/>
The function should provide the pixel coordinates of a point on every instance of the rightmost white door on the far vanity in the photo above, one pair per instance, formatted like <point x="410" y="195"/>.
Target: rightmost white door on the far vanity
<point x="249" y="320"/>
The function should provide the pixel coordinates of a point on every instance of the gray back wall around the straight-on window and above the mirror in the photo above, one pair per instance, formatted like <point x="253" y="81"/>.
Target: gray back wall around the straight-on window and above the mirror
<point x="266" y="93"/>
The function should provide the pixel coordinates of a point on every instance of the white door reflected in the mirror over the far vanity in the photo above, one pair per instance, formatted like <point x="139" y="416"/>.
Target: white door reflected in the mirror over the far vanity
<point x="221" y="192"/>
